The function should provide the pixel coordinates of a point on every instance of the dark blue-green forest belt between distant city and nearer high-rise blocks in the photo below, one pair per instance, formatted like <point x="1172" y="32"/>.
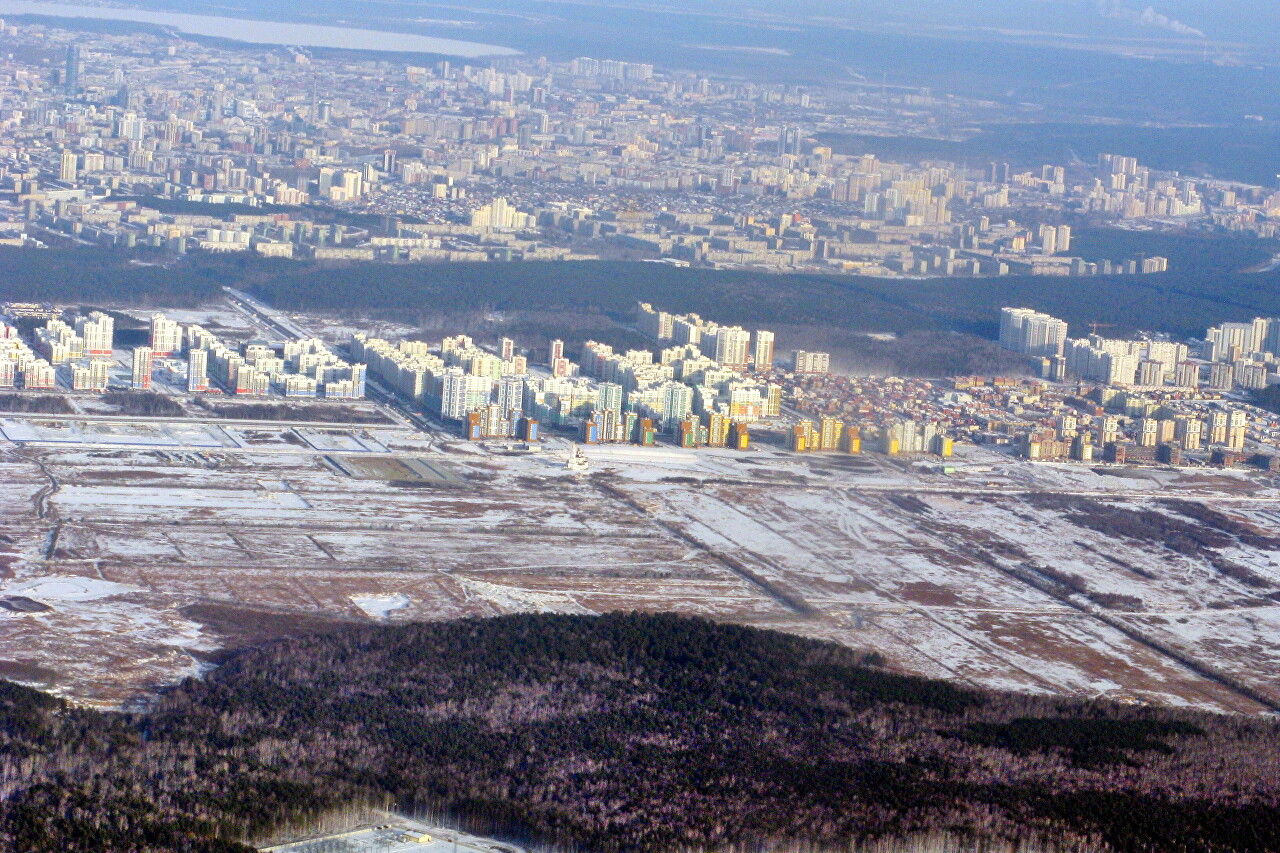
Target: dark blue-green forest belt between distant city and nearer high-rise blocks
<point x="1208" y="284"/>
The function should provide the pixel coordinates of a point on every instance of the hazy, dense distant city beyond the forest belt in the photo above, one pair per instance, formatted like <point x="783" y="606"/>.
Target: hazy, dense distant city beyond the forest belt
<point x="145" y="142"/>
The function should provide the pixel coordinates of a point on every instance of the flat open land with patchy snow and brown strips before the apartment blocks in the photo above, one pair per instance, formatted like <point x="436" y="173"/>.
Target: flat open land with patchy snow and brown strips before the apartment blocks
<point x="136" y="553"/>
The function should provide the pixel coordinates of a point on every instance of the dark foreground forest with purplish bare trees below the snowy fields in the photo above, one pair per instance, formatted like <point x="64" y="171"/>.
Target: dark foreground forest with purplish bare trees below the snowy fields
<point x="627" y="732"/>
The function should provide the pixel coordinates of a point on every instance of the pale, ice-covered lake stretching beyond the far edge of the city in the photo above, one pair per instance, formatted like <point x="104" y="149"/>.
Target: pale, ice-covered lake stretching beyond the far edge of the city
<point x="264" y="33"/>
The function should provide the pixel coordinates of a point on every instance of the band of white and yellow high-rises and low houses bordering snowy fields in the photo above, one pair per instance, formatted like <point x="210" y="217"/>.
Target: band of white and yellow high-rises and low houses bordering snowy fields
<point x="1141" y="402"/>
